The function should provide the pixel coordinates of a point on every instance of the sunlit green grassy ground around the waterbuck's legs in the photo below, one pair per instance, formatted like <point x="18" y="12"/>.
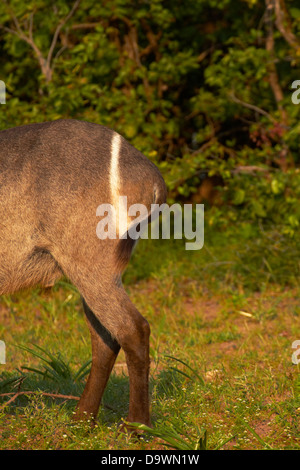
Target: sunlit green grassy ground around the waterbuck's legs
<point x="223" y="321"/>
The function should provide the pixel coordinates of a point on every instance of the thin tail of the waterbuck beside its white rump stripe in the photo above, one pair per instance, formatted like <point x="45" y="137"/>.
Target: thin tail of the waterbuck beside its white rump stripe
<point x="127" y="243"/>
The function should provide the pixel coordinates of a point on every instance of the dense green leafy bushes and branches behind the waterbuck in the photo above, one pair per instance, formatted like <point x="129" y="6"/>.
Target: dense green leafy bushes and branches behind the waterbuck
<point x="202" y="87"/>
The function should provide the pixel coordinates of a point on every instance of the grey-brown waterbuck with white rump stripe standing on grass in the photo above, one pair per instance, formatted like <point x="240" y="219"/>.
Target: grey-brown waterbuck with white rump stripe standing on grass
<point x="53" y="176"/>
